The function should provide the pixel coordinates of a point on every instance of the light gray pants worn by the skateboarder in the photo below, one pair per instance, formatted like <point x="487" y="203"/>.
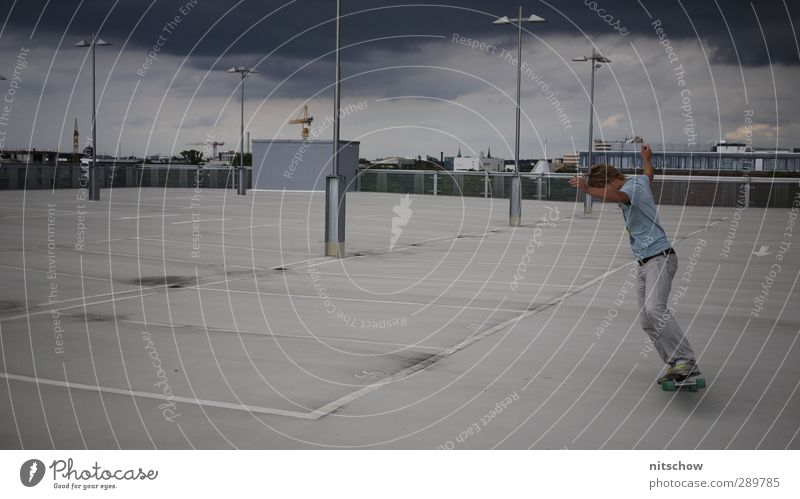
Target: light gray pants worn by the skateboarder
<point x="653" y="284"/>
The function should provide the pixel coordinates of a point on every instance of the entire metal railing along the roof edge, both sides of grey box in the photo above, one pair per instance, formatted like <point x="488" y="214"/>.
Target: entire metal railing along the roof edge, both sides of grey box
<point x="687" y="190"/>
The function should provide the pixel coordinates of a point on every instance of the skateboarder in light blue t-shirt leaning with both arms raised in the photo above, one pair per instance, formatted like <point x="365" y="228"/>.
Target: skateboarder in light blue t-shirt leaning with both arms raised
<point x="654" y="254"/>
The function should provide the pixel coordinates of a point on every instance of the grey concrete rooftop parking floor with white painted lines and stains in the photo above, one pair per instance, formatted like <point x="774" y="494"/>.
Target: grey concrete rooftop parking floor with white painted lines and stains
<point x="252" y="339"/>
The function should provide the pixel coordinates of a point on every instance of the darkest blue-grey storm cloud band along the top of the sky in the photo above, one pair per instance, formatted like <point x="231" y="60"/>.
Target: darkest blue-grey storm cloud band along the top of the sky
<point x="730" y="30"/>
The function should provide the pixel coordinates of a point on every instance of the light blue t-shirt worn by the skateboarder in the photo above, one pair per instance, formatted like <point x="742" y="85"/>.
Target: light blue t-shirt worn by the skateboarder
<point x="641" y="218"/>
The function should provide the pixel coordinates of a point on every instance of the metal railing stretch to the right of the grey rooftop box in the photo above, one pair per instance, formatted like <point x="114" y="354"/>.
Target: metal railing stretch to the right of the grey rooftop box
<point x="667" y="189"/>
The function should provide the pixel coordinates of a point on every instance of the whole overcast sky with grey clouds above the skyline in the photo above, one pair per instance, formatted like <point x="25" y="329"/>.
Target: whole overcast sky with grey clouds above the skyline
<point x="711" y="70"/>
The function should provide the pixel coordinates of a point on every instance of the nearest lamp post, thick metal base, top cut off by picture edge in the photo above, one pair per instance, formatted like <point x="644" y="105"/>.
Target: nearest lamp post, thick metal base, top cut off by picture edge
<point x="334" y="183"/>
